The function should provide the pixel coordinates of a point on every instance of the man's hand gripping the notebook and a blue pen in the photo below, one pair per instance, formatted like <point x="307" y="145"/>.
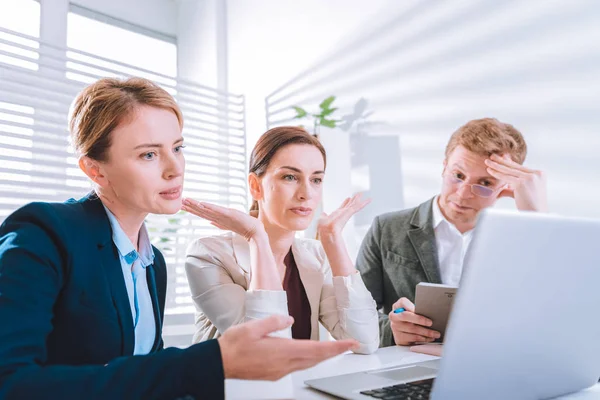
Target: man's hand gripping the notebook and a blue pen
<point x="409" y="328"/>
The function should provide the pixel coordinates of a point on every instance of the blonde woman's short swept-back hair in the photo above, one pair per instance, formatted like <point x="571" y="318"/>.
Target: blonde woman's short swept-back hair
<point x="104" y="104"/>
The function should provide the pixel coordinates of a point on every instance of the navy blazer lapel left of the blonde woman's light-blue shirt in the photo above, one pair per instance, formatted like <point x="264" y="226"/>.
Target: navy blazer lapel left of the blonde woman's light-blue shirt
<point x="111" y="265"/>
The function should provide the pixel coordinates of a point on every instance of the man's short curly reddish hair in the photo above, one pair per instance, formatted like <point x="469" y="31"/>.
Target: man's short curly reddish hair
<point x="489" y="136"/>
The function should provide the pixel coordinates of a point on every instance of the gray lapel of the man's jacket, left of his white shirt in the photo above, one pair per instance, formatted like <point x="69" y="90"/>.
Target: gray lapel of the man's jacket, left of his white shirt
<point x="423" y="240"/>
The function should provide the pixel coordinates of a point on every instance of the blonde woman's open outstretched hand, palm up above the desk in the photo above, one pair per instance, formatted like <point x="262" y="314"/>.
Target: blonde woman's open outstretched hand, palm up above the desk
<point x="248" y="352"/>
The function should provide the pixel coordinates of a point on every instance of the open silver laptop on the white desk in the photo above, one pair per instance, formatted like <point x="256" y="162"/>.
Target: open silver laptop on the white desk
<point x="525" y="323"/>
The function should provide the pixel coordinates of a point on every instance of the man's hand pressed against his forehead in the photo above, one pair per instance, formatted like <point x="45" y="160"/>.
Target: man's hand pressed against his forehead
<point x="526" y="186"/>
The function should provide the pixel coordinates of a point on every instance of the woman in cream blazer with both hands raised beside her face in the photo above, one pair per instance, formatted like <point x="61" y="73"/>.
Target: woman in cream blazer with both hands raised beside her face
<point x="261" y="269"/>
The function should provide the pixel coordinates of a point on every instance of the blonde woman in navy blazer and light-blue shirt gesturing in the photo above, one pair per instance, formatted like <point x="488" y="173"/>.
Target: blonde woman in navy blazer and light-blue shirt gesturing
<point x="82" y="290"/>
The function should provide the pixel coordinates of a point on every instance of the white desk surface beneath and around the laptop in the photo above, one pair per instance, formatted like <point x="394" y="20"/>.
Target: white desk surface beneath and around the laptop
<point x="293" y="387"/>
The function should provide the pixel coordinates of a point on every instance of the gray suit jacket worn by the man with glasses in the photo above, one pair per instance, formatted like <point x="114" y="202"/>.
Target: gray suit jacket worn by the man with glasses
<point x="398" y="252"/>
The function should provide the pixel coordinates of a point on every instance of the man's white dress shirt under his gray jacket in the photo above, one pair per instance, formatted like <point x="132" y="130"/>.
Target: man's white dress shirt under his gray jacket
<point x="451" y="246"/>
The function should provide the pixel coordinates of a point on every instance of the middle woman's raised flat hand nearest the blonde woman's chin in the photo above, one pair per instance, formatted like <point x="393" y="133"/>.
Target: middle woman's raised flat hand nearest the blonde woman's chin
<point x="225" y="218"/>
